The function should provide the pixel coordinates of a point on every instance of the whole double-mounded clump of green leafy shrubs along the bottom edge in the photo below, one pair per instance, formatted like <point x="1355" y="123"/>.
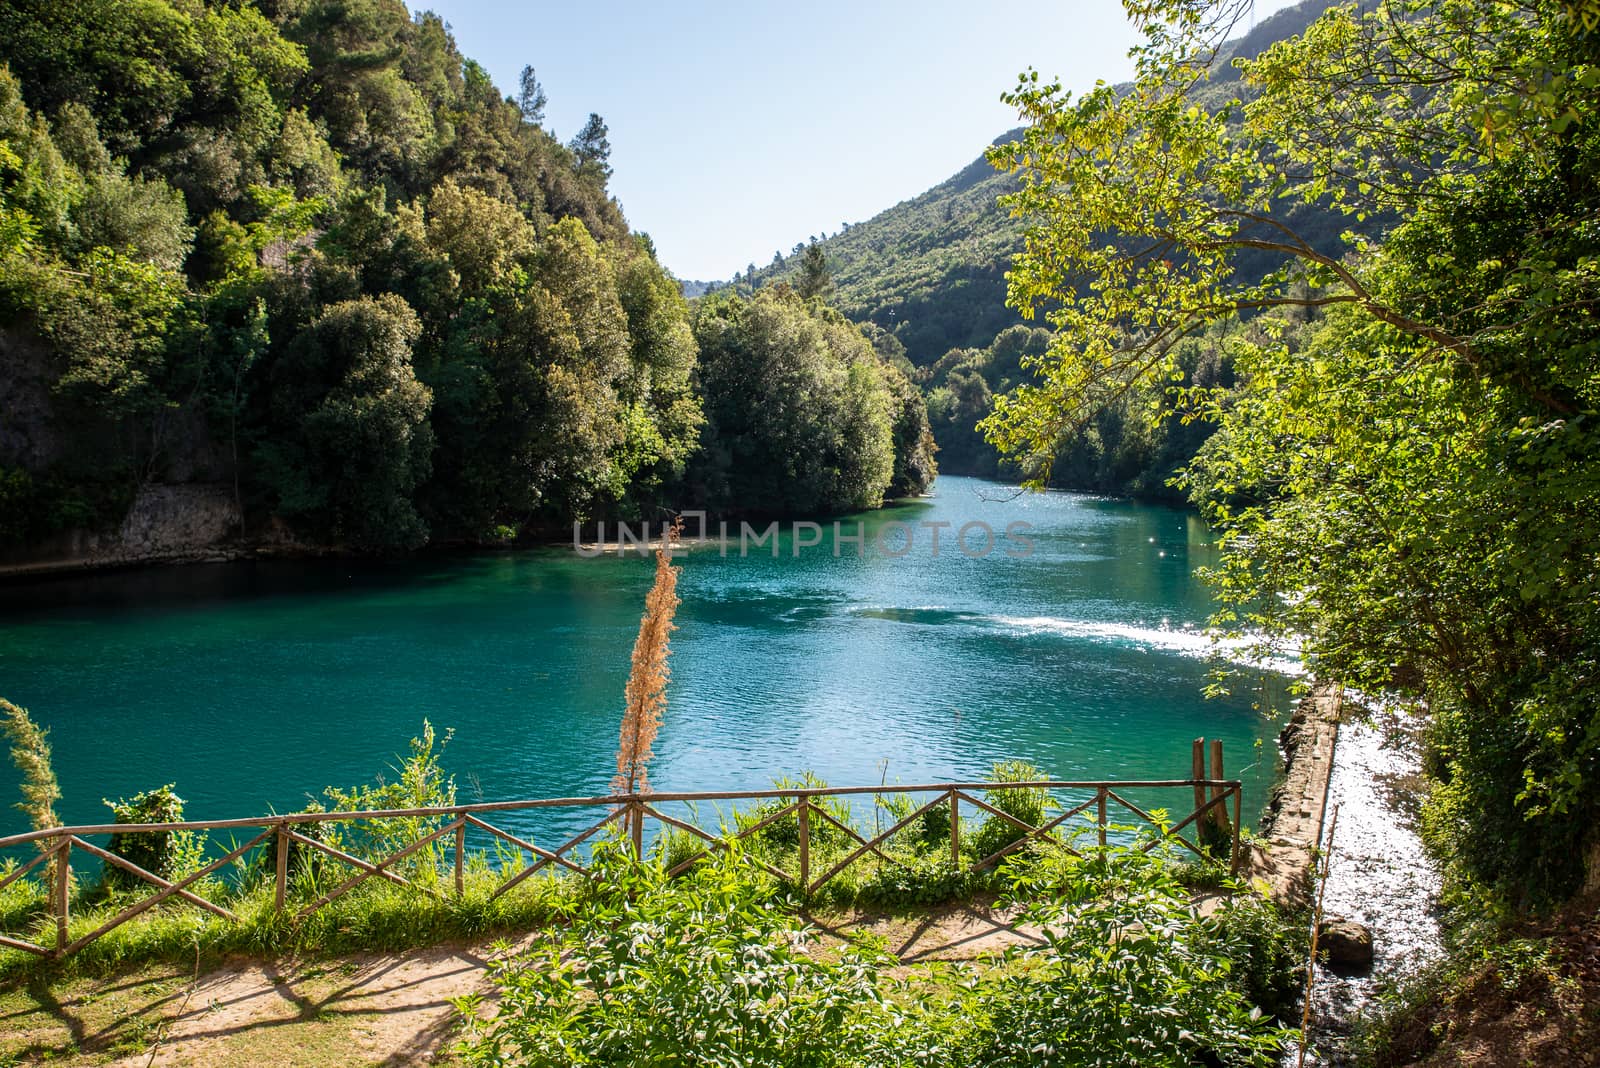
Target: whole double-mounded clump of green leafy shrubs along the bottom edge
<point x="714" y="970"/>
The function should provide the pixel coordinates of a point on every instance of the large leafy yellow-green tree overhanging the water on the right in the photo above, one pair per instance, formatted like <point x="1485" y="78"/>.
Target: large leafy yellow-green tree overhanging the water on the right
<point x="1410" y="493"/>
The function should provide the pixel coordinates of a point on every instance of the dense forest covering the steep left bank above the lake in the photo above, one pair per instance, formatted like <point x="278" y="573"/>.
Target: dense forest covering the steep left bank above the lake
<point x="308" y="252"/>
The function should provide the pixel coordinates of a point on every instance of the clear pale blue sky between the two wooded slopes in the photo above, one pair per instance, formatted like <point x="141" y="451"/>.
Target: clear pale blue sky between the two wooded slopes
<point x="743" y="129"/>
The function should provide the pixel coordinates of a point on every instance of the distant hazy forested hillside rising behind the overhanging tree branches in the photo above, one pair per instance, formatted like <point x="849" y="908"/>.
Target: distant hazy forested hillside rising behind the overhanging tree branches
<point x="932" y="269"/>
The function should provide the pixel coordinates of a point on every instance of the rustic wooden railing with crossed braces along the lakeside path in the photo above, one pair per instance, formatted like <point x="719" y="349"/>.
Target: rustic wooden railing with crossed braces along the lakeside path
<point x="630" y="816"/>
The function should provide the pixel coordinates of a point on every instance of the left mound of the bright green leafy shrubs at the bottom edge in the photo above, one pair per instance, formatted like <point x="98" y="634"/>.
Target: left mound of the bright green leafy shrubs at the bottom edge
<point x="705" y="970"/>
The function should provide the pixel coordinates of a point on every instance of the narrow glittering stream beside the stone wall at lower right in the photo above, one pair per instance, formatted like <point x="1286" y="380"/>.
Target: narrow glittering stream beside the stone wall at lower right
<point x="1380" y="875"/>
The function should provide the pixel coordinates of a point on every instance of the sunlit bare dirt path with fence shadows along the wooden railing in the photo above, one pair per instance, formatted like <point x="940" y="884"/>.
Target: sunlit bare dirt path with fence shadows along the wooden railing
<point x="374" y="1010"/>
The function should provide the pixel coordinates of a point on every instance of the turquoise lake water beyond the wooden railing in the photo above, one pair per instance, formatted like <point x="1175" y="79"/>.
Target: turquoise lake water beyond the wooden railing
<point x="255" y="685"/>
